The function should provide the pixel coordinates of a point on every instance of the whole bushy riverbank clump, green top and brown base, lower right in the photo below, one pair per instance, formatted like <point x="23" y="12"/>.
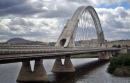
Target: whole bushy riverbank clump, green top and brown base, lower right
<point x="120" y="65"/>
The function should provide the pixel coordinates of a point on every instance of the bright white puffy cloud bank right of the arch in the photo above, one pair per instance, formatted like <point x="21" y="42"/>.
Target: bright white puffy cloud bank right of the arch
<point x="114" y="21"/>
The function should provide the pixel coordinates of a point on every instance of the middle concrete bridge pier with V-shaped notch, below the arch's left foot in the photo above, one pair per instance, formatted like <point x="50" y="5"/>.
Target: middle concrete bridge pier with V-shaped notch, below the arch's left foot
<point x="66" y="67"/>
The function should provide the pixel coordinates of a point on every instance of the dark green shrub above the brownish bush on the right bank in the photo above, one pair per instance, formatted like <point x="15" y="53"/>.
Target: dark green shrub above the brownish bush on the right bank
<point x="122" y="61"/>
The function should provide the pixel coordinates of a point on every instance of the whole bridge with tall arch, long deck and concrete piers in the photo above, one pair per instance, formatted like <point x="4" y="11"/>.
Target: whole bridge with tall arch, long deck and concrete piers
<point x="78" y="29"/>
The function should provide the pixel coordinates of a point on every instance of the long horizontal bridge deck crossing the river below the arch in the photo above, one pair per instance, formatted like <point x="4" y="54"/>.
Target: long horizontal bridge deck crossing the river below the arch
<point x="19" y="55"/>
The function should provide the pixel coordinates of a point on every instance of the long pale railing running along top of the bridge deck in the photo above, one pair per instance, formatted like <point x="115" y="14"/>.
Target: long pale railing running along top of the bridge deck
<point x="17" y="49"/>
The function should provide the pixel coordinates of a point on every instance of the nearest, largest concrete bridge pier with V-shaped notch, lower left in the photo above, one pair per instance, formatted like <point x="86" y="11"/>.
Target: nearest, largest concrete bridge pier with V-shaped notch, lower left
<point x="38" y="75"/>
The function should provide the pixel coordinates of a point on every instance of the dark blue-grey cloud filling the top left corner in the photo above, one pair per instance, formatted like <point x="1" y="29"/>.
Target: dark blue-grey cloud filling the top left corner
<point x="18" y="7"/>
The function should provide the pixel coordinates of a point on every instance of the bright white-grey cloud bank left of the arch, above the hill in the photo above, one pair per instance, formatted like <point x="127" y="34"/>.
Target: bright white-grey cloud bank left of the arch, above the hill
<point x="35" y="29"/>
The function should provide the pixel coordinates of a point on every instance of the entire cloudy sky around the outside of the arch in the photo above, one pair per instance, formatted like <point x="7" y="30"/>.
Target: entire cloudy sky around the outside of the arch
<point x="43" y="20"/>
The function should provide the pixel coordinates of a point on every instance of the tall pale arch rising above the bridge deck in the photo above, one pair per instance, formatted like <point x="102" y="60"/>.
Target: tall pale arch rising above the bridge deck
<point x="68" y="34"/>
